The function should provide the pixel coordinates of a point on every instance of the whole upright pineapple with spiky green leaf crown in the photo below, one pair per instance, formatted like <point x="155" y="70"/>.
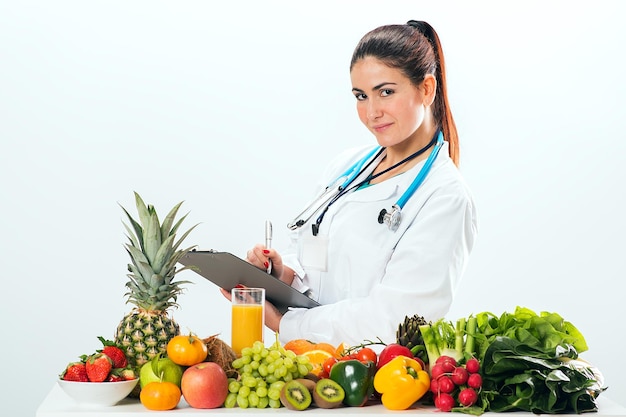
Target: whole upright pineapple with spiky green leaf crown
<point x="145" y="331"/>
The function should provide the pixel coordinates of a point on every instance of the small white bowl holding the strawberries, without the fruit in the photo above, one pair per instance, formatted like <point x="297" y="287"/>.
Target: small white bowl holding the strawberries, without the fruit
<point x="100" y="394"/>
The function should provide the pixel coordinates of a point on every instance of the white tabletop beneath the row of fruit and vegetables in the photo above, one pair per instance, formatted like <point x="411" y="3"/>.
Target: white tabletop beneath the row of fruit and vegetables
<point x="58" y="404"/>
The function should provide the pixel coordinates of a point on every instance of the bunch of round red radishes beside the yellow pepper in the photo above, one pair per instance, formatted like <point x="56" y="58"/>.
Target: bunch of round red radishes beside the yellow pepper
<point x="454" y="384"/>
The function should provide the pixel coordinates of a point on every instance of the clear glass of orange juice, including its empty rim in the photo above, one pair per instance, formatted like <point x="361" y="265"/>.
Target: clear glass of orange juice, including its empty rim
<point x="248" y="317"/>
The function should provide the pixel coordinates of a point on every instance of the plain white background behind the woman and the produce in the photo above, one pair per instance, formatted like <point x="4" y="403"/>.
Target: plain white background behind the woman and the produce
<point x="234" y="107"/>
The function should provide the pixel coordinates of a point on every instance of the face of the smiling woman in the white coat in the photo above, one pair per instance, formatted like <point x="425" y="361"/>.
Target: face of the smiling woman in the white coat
<point x="388" y="104"/>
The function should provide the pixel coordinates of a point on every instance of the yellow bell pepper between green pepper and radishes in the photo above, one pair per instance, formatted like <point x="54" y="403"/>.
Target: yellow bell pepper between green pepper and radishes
<point x="402" y="382"/>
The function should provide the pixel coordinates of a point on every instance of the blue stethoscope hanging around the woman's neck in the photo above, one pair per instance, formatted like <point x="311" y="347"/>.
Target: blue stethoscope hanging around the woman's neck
<point x="359" y="173"/>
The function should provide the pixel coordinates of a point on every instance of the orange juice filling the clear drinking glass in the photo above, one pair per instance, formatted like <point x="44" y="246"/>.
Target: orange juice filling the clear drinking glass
<point x="247" y="325"/>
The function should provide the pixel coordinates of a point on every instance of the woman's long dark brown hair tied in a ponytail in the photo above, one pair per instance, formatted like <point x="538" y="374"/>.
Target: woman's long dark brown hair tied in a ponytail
<point x="415" y="50"/>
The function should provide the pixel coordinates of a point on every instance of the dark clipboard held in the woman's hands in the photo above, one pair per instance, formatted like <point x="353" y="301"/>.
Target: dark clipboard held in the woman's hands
<point x="227" y="270"/>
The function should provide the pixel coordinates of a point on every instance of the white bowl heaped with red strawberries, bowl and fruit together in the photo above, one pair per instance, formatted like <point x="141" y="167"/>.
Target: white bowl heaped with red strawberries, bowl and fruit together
<point x="103" y="378"/>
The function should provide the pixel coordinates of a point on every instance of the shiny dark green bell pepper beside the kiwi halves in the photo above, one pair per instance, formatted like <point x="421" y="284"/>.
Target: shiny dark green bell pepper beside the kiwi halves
<point x="357" y="380"/>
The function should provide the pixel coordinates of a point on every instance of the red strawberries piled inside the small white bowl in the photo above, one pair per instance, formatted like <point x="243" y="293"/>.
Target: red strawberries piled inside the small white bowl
<point x="108" y="364"/>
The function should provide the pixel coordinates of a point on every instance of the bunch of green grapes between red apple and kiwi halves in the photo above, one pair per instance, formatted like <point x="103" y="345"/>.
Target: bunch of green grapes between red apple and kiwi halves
<point x="263" y="372"/>
